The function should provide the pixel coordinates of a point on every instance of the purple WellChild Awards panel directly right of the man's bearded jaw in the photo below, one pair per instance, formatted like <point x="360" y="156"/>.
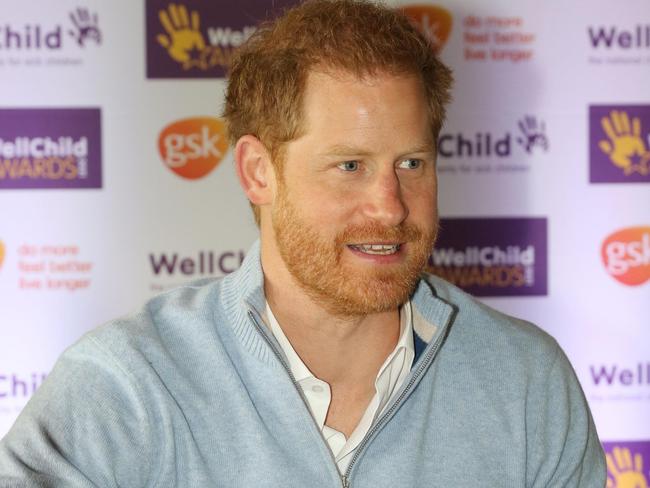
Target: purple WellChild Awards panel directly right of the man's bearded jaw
<point x="493" y="256"/>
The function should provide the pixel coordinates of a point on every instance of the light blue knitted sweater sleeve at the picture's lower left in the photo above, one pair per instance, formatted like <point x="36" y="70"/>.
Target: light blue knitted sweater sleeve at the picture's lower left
<point x="85" y="426"/>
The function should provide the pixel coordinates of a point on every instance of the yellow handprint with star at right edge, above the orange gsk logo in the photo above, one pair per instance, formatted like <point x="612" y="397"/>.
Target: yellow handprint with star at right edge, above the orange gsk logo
<point x="625" y="144"/>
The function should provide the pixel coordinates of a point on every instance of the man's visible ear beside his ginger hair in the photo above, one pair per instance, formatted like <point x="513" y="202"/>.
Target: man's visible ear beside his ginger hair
<point x="255" y="170"/>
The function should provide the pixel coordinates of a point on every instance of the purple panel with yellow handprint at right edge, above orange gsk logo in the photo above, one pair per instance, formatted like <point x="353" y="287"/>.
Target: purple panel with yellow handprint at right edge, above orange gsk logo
<point x="619" y="147"/>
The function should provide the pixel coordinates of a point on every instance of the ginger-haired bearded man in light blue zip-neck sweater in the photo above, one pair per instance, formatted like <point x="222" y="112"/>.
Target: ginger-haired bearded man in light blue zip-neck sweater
<point x="328" y="359"/>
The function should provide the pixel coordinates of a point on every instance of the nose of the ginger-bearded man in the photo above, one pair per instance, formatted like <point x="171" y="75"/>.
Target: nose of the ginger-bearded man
<point x="385" y="202"/>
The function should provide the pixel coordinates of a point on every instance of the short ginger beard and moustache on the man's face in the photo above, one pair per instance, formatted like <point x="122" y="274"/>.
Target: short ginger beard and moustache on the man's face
<point x="342" y="288"/>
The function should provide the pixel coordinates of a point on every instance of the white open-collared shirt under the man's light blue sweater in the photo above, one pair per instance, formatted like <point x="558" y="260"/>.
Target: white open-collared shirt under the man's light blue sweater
<point x="318" y="394"/>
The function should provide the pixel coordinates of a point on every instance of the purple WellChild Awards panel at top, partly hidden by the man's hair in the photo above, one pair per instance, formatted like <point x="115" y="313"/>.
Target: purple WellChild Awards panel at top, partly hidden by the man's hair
<point x="195" y="39"/>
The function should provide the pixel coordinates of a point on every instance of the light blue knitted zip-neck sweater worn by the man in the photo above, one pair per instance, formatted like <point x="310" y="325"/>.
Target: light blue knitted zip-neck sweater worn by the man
<point x="193" y="391"/>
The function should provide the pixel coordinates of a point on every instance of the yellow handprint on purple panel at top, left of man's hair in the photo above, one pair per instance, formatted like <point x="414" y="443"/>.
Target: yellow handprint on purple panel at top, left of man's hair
<point x="184" y="41"/>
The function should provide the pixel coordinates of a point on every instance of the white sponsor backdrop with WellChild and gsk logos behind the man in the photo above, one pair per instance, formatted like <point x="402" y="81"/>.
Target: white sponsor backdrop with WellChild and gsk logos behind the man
<point x="116" y="180"/>
